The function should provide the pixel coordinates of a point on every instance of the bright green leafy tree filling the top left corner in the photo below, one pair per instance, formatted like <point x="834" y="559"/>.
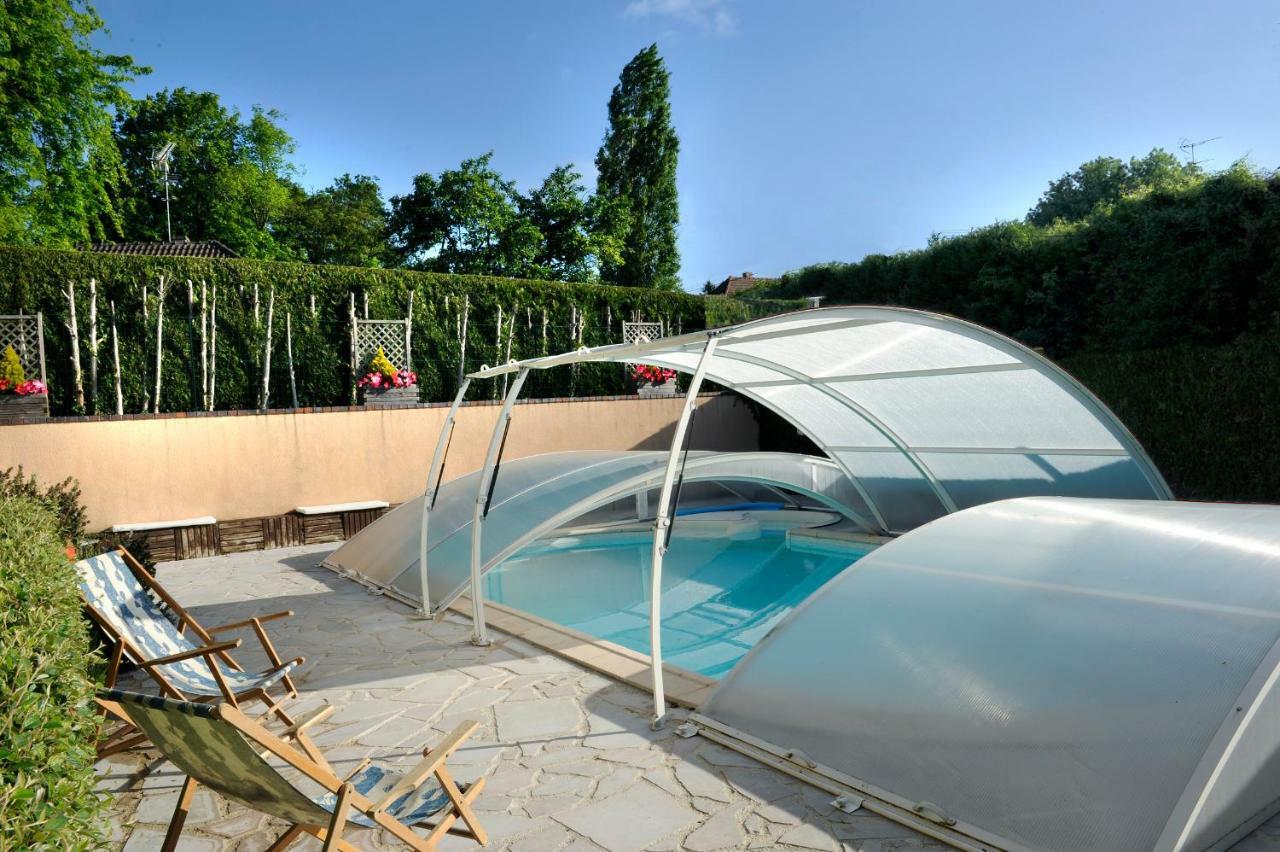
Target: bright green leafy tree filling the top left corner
<point x="58" y="161"/>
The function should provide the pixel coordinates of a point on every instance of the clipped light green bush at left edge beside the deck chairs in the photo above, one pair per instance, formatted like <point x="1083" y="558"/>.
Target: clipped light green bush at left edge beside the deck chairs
<point x="48" y="727"/>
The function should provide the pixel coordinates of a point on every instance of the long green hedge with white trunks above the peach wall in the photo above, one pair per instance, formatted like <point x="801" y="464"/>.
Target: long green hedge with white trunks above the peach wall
<point x="33" y="280"/>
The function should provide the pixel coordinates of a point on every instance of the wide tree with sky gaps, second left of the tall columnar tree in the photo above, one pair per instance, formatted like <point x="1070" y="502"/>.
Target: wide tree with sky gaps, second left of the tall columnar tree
<point x="465" y="222"/>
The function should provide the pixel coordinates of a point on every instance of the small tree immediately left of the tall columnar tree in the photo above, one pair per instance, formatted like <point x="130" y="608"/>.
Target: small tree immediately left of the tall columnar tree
<point x="563" y="214"/>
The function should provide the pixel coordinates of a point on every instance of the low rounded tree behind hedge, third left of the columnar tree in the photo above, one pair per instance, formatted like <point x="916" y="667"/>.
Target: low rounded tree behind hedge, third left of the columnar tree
<point x="345" y="223"/>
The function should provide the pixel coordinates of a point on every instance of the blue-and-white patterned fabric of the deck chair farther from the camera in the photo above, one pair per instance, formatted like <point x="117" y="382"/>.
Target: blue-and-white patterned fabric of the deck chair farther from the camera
<point x="120" y="599"/>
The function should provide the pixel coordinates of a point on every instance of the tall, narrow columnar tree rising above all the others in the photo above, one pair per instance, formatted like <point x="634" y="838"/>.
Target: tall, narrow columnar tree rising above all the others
<point x="637" y="186"/>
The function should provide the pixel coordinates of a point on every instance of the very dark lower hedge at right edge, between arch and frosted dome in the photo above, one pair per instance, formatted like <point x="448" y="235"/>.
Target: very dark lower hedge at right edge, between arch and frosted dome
<point x="1210" y="418"/>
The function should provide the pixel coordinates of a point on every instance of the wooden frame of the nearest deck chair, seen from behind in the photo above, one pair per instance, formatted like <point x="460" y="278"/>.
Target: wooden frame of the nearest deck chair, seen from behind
<point x="312" y="763"/>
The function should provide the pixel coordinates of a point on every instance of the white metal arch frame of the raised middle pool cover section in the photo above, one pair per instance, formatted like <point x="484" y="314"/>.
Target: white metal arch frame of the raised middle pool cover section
<point x="734" y="345"/>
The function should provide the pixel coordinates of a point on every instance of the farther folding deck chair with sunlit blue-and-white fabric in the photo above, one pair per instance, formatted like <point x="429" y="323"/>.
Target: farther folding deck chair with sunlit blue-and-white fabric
<point x="115" y="588"/>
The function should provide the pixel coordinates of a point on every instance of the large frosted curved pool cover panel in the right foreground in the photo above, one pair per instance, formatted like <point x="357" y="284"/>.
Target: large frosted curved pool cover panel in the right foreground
<point x="1053" y="674"/>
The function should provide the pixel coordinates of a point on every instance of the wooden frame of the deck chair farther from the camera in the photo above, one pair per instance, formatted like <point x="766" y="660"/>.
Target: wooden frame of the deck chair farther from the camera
<point x="127" y="736"/>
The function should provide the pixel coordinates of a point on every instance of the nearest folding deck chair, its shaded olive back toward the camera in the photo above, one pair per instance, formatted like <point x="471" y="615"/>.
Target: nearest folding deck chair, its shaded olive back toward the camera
<point x="225" y="750"/>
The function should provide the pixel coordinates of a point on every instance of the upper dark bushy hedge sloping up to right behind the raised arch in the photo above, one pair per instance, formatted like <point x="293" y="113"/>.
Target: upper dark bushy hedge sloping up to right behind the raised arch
<point x="1196" y="264"/>
